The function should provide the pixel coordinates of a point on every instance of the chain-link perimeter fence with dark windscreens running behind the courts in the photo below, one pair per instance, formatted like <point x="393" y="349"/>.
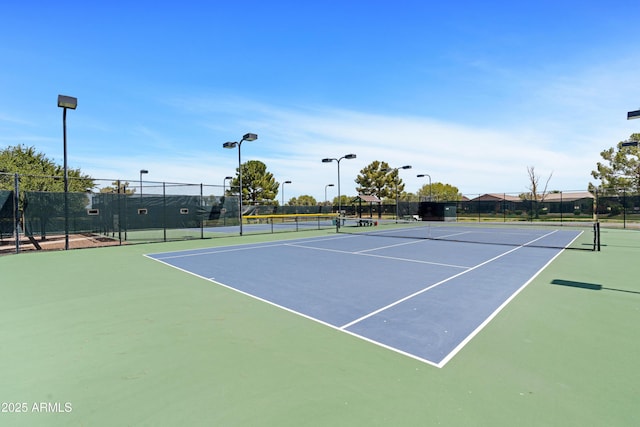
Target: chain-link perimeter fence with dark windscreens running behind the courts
<point x="117" y="212"/>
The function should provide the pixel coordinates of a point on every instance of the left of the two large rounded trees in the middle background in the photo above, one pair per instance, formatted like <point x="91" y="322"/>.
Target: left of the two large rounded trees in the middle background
<point x="258" y="185"/>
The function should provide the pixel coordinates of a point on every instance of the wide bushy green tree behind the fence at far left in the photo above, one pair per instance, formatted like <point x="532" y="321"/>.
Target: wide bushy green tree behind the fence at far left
<point x="38" y="173"/>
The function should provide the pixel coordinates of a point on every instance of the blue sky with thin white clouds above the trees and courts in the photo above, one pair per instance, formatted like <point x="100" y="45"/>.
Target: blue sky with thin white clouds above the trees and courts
<point x="471" y="93"/>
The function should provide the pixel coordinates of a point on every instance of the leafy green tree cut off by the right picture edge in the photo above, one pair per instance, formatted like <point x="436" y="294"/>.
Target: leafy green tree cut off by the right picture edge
<point x="621" y="168"/>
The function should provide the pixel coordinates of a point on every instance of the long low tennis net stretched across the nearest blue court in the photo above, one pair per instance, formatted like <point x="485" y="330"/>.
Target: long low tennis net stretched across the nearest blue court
<point x="581" y="236"/>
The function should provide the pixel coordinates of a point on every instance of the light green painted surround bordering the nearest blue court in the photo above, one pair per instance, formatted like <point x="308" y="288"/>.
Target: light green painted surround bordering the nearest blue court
<point x="106" y="337"/>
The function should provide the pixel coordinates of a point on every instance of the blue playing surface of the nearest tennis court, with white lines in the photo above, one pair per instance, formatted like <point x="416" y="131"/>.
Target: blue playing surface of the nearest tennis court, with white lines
<point x="423" y="298"/>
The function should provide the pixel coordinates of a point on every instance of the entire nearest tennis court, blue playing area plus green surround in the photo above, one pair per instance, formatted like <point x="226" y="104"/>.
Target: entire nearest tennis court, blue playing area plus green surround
<point x="112" y="337"/>
